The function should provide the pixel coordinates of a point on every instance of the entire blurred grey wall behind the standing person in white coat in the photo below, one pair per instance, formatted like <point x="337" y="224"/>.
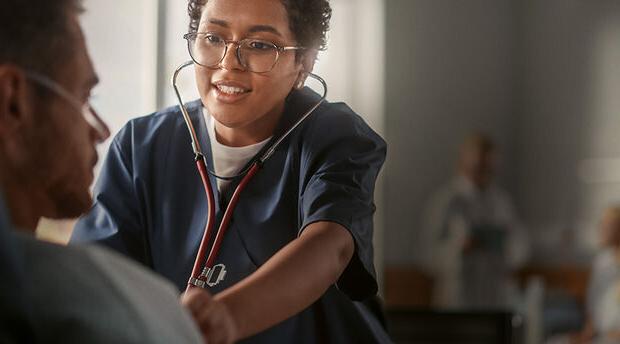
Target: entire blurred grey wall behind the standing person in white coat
<point x="542" y="76"/>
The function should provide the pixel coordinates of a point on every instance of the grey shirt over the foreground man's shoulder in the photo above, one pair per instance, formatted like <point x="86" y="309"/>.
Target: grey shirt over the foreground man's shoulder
<point x="87" y="294"/>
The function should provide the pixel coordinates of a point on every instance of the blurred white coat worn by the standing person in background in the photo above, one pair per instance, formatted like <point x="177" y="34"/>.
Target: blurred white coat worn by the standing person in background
<point x="480" y="278"/>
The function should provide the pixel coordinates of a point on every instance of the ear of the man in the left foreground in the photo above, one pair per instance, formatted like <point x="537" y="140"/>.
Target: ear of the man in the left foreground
<point x="13" y="96"/>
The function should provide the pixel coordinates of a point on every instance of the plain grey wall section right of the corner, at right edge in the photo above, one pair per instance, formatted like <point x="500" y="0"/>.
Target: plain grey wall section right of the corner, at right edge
<point x="568" y="142"/>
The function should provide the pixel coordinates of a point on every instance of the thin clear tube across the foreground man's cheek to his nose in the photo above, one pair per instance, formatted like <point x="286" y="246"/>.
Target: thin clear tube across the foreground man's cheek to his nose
<point x="86" y="109"/>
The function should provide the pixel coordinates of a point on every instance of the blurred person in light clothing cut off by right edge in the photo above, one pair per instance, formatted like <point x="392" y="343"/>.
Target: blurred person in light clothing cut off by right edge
<point x="603" y="298"/>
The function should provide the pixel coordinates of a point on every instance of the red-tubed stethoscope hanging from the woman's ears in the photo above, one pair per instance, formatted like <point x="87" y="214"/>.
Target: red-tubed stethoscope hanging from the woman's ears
<point x="211" y="275"/>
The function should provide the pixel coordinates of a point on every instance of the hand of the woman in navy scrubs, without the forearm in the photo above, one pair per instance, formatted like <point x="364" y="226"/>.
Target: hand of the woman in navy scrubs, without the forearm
<point x="211" y="315"/>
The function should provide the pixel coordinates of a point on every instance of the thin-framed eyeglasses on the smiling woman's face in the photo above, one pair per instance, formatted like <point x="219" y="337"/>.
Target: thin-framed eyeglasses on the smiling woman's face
<point x="254" y="55"/>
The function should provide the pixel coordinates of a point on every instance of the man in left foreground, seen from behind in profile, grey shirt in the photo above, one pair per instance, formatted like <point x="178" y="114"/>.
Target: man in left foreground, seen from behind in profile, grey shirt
<point x="48" y="134"/>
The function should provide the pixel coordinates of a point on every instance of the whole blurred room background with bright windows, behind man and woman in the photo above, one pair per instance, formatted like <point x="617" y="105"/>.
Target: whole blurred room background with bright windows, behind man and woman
<point x="536" y="83"/>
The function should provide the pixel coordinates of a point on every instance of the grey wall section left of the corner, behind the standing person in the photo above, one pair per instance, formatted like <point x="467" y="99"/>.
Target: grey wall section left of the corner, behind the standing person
<point x="449" y="70"/>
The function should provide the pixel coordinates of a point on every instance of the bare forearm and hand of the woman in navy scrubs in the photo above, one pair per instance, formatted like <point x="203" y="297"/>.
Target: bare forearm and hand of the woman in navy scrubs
<point x="290" y="281"/>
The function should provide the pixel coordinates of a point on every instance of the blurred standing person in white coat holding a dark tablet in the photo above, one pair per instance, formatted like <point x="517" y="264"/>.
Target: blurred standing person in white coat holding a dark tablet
<point x="476" y="239"/>
